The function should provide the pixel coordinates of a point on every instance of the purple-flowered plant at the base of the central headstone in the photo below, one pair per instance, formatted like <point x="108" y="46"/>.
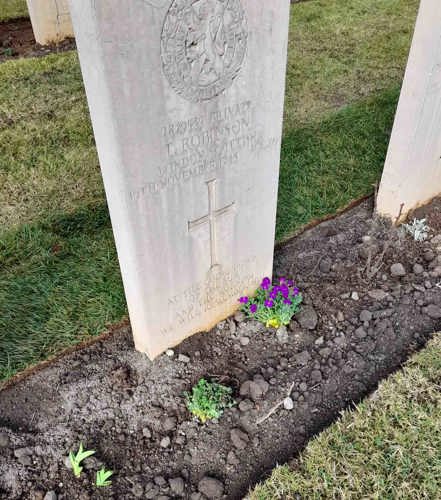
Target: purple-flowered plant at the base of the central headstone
<point x="273" y="305"/>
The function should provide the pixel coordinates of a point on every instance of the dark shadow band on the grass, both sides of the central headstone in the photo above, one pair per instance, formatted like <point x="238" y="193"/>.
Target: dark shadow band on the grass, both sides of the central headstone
<point x="60" y="280"/>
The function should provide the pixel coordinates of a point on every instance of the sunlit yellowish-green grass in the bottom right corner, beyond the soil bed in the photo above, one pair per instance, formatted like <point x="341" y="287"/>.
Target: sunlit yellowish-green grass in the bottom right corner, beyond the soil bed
<point x="387" y="448"/>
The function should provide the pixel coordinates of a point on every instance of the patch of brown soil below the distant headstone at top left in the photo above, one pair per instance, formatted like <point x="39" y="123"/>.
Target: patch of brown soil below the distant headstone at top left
<point x="17" y="40"/>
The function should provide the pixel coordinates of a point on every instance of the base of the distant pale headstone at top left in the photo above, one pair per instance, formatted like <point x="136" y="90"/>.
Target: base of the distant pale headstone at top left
<point x="50" y="20"/>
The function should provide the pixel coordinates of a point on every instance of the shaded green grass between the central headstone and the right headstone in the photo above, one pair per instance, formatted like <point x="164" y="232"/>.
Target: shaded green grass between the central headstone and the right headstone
<point x="329" y="163"/>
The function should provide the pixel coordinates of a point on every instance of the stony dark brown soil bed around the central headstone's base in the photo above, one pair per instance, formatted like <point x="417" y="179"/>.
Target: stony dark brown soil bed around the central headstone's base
<point x="355" y="328"/>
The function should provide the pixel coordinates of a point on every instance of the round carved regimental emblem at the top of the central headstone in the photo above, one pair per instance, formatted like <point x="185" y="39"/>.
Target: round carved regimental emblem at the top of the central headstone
<point x="203" y="44"/>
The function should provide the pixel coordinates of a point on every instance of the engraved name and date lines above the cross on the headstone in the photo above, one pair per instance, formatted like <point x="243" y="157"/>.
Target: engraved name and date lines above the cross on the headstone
<point x="207" y="145"/>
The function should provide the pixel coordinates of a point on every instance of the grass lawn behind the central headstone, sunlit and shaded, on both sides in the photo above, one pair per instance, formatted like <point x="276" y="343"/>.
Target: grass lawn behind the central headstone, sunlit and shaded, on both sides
<point x="59" y="276"/>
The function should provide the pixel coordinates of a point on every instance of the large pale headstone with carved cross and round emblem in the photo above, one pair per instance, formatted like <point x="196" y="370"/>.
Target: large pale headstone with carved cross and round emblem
<point x="186" y="99"/>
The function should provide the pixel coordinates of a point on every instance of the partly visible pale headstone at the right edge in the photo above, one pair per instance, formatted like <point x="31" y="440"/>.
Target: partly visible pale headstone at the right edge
<point x="412" y="173"/>
